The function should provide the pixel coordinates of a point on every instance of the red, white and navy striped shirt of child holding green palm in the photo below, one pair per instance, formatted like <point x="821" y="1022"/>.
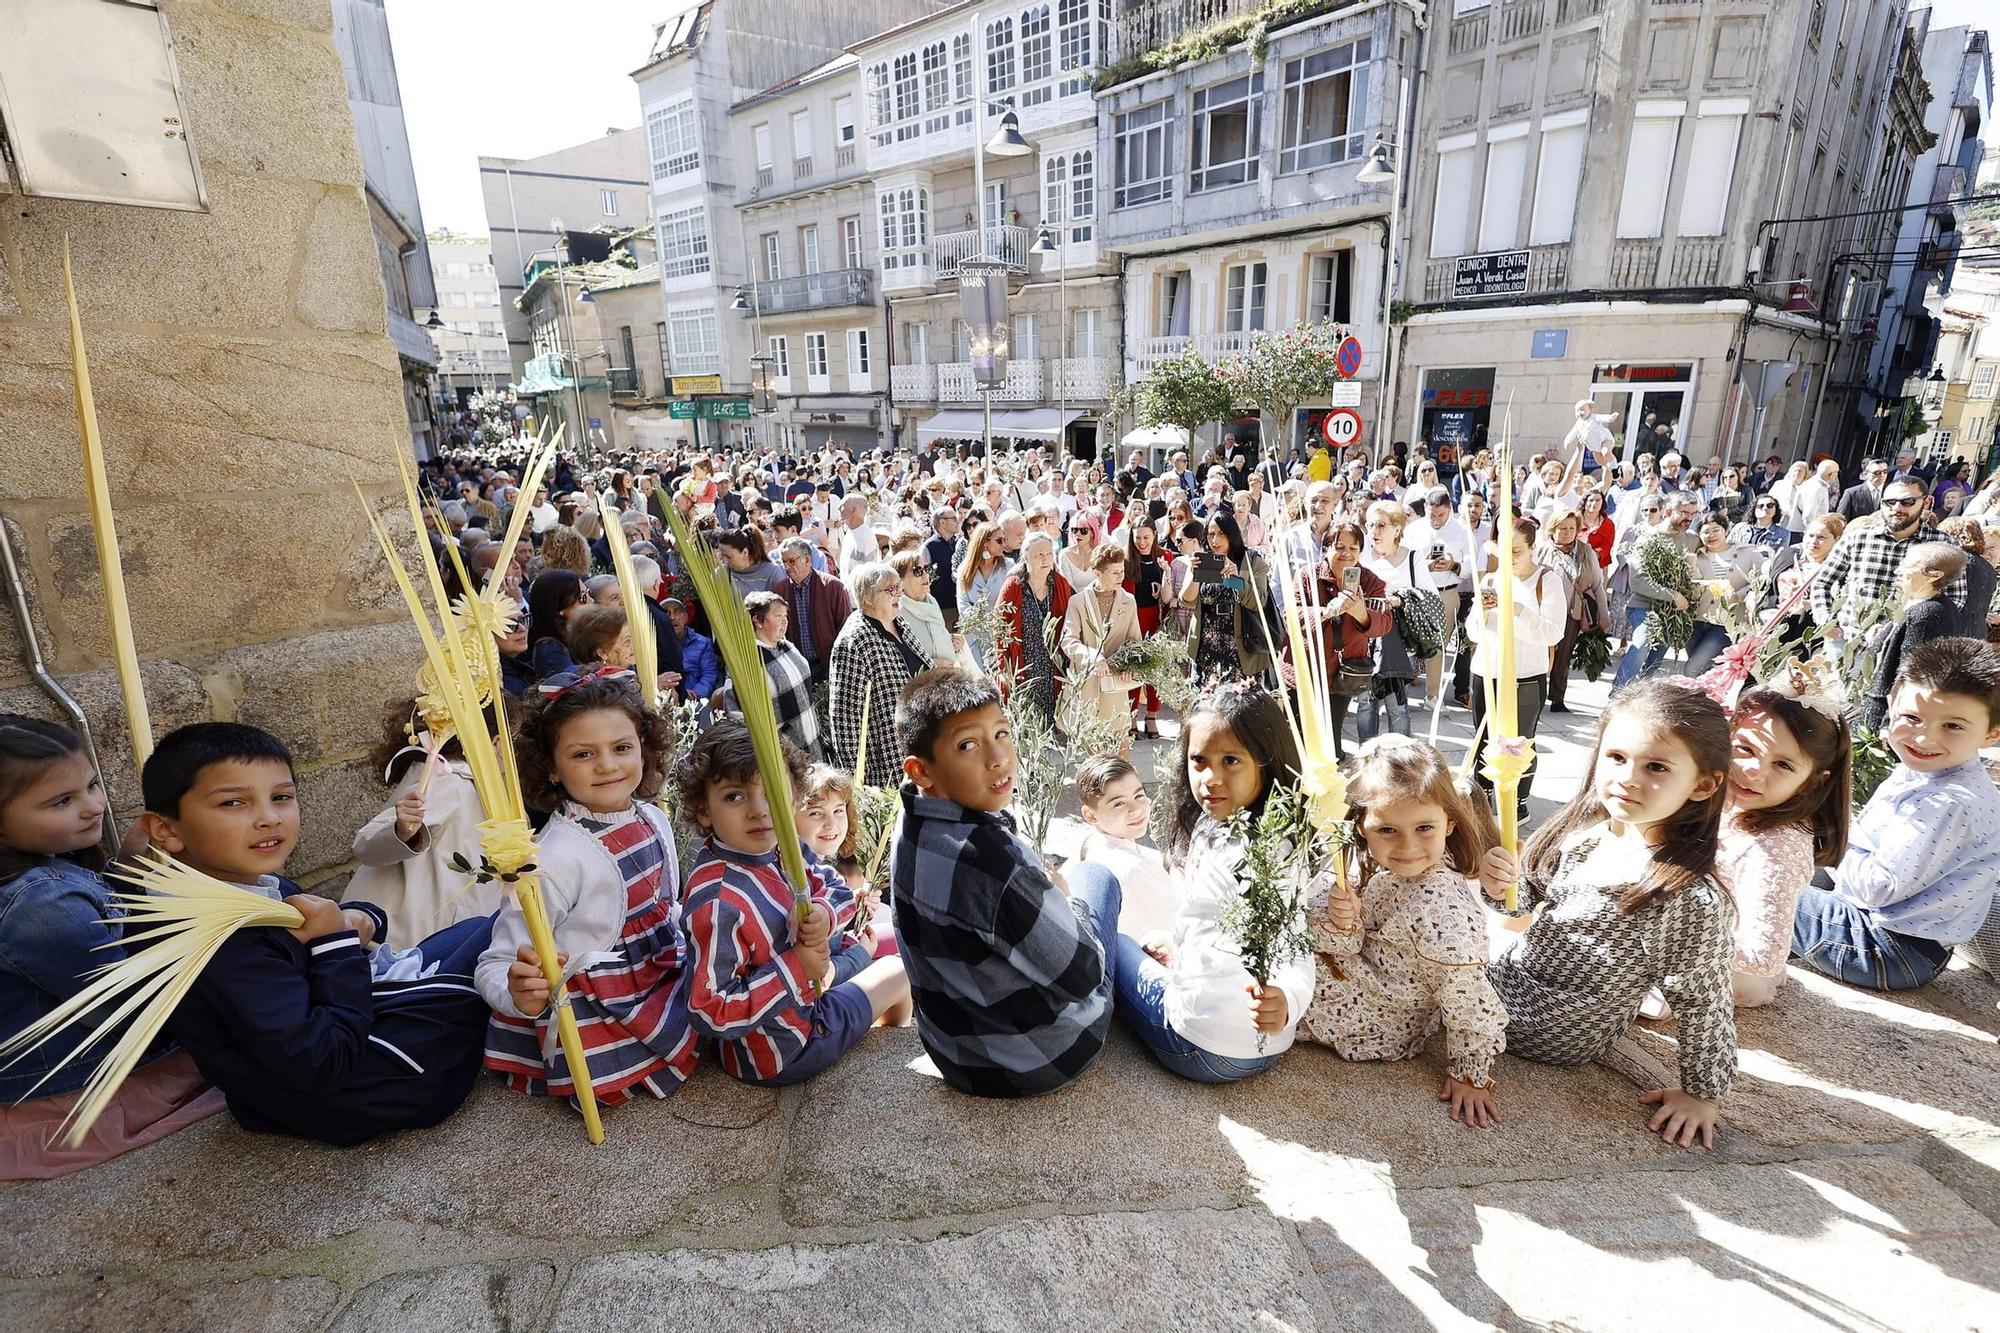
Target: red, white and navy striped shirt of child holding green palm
<point x="749" y="988"/>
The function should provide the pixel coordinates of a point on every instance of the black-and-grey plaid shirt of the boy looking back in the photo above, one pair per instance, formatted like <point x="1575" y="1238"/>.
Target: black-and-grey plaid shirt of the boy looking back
<point x="1011" y="988"/>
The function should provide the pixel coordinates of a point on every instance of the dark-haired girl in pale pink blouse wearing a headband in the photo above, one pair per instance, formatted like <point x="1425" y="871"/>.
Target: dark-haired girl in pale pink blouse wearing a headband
<point x="1791" y="800"/>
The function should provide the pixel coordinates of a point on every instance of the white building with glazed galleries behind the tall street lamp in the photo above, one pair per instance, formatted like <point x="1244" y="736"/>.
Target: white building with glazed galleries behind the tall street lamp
<point x="933" y="95"/>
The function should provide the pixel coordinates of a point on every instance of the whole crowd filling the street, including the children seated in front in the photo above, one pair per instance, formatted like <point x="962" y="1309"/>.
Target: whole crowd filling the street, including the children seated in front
<point x="907" y="607"/>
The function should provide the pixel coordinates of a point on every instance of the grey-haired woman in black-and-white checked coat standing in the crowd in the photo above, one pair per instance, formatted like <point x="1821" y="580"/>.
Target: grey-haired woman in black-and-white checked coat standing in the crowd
<point x="875" y="655"/>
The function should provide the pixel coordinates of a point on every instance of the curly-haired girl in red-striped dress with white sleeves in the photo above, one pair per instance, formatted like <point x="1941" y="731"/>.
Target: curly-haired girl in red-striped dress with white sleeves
<point x="597" y="756"/>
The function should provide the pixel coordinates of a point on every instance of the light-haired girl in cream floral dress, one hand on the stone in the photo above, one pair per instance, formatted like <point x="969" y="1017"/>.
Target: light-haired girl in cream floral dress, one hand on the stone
<point x="1407" y="956"/>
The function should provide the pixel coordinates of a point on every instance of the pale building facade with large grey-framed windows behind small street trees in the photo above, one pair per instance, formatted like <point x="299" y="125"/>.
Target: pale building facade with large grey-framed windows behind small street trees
<point x="1233" y="195"/>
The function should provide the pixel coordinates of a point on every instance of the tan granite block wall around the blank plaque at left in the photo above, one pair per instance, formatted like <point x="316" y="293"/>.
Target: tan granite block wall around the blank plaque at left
<point x="245" y="379"/>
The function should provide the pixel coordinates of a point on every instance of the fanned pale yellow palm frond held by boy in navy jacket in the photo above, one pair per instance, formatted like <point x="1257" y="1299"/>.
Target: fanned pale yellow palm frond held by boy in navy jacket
<point x="175" y="926"/>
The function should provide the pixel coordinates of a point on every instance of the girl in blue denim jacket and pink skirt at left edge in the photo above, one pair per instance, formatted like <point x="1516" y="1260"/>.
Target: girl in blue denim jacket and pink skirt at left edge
<point x="55" y="932"/>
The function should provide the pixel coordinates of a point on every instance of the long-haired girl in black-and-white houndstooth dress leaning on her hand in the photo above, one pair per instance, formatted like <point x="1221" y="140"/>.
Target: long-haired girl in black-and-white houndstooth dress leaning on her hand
<point x="1627" y="898"/>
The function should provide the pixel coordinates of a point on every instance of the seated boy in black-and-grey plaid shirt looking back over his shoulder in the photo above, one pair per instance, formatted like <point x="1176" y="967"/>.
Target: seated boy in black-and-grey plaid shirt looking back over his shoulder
<point x="1013" y="996"/>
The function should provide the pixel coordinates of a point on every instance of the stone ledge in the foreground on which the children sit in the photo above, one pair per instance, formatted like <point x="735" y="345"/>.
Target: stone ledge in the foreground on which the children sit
<point x="1857" y="1184"/>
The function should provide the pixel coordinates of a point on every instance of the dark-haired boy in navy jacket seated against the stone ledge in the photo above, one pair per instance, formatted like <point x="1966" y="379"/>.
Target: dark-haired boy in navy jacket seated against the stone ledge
<point x="309" y="1032"/>
